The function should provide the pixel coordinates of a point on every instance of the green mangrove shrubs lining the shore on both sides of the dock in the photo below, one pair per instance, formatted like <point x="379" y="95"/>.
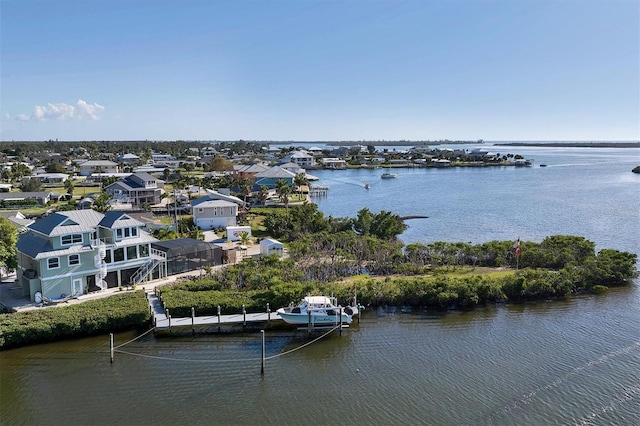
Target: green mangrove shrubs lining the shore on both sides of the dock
<point x="345" y="257"/>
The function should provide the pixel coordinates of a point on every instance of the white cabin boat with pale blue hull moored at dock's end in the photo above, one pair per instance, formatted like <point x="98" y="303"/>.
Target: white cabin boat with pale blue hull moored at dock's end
<point x="320" y="310"/>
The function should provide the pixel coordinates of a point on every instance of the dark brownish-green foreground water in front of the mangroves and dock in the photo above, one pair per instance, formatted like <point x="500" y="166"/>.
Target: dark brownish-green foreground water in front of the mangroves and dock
<point x="557" y="362"/>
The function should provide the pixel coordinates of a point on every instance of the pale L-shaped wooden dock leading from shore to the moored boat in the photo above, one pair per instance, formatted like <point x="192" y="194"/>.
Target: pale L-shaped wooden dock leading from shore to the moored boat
<point x="165" y="323"/>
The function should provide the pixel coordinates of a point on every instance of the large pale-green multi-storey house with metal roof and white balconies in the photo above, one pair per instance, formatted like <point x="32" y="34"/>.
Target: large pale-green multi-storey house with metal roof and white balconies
<point x="73" y="252"/>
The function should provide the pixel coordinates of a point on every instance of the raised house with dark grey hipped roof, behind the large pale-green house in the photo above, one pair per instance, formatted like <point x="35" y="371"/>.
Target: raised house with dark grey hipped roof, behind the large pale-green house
<point x="137" y="189"/>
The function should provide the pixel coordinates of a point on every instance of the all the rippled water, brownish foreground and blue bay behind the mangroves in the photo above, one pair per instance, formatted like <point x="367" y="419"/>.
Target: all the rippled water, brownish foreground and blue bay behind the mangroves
<point x="574" y="362"/>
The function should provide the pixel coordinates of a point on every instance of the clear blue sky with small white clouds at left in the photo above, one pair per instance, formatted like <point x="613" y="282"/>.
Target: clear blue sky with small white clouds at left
<point x="320" y="70"/>
